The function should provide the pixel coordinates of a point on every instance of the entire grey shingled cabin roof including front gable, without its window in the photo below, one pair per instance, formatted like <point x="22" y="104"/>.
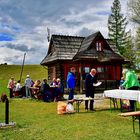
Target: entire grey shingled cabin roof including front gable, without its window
<point x="63" y="47"/>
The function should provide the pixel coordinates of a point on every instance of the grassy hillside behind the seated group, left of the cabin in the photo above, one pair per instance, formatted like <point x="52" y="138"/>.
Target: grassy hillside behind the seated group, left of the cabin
<point x="6" y="71"/>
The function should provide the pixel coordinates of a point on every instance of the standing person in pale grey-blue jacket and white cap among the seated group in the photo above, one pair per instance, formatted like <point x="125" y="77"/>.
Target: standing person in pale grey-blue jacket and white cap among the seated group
<point x="28" y="83"/>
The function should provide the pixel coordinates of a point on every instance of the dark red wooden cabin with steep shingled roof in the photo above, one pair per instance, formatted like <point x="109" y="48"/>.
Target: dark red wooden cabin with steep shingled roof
<point x="84" y="53"/>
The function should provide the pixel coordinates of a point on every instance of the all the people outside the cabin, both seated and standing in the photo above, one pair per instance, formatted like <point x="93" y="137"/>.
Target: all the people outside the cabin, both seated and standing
<point x="129" y="81"/>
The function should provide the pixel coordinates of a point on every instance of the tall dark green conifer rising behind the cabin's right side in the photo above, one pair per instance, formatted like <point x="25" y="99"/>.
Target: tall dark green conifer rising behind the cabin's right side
<point x="117" y="26"/>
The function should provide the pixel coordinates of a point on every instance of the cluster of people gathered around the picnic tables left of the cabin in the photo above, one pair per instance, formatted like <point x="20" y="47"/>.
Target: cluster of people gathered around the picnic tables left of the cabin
<point x="40" y="90"/>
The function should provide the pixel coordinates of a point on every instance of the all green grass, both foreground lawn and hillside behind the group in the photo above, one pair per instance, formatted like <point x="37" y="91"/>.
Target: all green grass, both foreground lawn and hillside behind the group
<point x="37" y="120"/>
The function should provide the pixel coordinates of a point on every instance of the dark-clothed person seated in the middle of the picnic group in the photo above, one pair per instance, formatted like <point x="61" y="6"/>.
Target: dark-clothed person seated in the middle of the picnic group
<point x="44" y="89"/>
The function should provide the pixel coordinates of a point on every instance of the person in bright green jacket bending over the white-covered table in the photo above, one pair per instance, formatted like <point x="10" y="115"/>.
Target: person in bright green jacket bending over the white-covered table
<point x="131" y="83"/>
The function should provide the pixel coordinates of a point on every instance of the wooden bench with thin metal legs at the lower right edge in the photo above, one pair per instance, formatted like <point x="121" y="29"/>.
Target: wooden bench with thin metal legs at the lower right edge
<point x="135" y="115"/>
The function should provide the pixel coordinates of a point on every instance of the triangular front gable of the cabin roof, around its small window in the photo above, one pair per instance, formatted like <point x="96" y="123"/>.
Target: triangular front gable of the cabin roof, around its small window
<point x="89" y="51"/>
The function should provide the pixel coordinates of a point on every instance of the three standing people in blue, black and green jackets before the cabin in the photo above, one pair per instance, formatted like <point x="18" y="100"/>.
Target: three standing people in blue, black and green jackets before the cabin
<point x="129" y="81"/>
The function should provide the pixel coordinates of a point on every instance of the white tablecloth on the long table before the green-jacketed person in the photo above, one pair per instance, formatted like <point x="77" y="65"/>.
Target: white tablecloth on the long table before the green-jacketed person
<point x="123" y="94"/>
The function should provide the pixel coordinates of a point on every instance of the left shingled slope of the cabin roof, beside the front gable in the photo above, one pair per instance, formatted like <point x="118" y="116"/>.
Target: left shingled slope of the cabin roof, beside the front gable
<point x="62" y="48"/>
